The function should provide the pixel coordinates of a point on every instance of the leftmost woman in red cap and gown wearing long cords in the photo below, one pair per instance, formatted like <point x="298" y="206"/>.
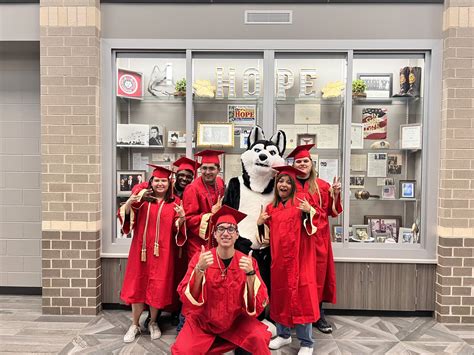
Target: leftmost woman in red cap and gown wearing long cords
<point x="156" y="217"/>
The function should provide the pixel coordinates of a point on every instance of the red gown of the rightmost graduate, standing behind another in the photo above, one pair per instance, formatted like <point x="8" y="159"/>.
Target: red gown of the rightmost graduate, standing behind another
<point x="328" y="206"/>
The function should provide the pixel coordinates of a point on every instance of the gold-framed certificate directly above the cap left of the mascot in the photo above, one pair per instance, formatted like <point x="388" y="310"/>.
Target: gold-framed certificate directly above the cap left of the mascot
<point x="215" y="134"/>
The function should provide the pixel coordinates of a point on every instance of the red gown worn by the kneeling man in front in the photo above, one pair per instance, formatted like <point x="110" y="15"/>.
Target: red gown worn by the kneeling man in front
<point x="221" y="310"/>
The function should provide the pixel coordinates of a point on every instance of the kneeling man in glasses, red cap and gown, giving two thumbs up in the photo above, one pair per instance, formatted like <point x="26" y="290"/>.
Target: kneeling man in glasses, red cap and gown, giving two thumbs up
<point x="224" y="292"/>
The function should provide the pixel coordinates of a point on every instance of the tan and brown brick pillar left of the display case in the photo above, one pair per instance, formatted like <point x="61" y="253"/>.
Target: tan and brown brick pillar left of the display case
<point x="70" y="143"/>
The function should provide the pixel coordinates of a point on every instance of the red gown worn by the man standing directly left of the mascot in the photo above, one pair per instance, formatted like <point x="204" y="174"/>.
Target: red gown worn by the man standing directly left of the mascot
<point x="198" y="200"/>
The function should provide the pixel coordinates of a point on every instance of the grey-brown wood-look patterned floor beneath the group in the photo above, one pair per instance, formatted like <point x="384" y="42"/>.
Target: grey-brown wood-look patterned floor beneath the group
<point x="24" y="330"/>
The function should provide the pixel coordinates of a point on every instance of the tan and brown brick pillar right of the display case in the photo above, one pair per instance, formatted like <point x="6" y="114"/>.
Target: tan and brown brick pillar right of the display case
<point x="454" y="279"/>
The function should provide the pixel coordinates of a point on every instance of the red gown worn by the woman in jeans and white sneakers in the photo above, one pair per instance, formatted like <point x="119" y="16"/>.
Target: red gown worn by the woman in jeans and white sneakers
<point x="294" y="292"/>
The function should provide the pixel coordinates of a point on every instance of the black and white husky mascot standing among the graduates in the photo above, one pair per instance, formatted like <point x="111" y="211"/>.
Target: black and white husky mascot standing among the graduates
<point x="253" y="190"/>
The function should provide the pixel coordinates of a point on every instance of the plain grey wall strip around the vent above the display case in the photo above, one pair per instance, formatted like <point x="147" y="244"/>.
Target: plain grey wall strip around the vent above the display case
<point x="320" y="21"/>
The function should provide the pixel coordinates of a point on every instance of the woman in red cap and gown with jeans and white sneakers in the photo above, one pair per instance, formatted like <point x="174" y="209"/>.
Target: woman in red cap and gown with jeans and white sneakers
<point x="292" y="221"/>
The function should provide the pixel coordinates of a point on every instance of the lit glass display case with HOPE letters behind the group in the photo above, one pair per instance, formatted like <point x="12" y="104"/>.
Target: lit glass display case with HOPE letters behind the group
<point x="382" y="144"/>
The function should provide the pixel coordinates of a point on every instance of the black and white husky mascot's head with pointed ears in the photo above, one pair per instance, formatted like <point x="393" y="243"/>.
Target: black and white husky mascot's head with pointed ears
<point x="260" y="156"/>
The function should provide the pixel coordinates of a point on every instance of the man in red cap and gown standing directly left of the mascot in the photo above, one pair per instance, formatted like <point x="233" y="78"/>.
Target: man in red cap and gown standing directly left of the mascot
<point x="202" y="198"/>
